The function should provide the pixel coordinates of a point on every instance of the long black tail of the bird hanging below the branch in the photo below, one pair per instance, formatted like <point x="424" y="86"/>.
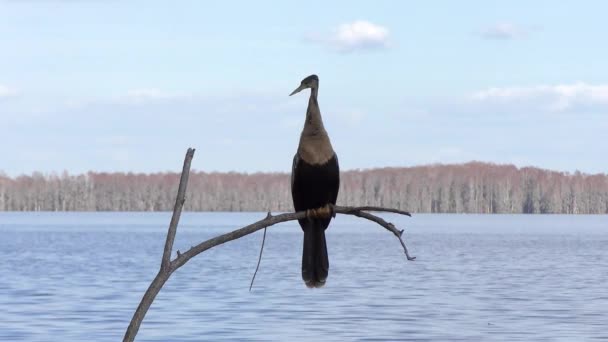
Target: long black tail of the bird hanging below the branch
<point x="315" y="263"/>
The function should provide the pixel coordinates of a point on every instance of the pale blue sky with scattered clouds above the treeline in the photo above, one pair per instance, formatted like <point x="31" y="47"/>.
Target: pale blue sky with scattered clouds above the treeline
<point x="108" y="85"/>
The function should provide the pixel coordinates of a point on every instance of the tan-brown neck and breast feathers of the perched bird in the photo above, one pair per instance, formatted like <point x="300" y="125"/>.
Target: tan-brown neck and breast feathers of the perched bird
<point x="315" y="147"/>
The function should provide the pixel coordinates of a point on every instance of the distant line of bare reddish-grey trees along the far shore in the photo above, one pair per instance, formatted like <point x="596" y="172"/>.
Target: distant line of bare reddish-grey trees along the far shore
<point x="465" y="188"/>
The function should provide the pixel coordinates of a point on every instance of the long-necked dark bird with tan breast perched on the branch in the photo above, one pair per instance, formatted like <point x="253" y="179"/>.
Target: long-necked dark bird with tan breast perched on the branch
<point x="315" y="181"/>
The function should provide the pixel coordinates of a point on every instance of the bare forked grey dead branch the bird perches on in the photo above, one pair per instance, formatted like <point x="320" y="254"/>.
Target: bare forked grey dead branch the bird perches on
<point x="169" y="266"/>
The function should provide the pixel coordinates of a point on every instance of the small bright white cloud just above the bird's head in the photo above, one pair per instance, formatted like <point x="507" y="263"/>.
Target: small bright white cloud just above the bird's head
<point x="356" y="36"/>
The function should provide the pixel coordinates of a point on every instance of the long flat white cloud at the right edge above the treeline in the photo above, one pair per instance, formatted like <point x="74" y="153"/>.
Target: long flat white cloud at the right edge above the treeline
<point x="561" y="97"/>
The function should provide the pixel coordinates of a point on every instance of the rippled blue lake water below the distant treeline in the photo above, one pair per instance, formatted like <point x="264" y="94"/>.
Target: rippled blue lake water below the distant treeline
<point x="80" y="276"/>
